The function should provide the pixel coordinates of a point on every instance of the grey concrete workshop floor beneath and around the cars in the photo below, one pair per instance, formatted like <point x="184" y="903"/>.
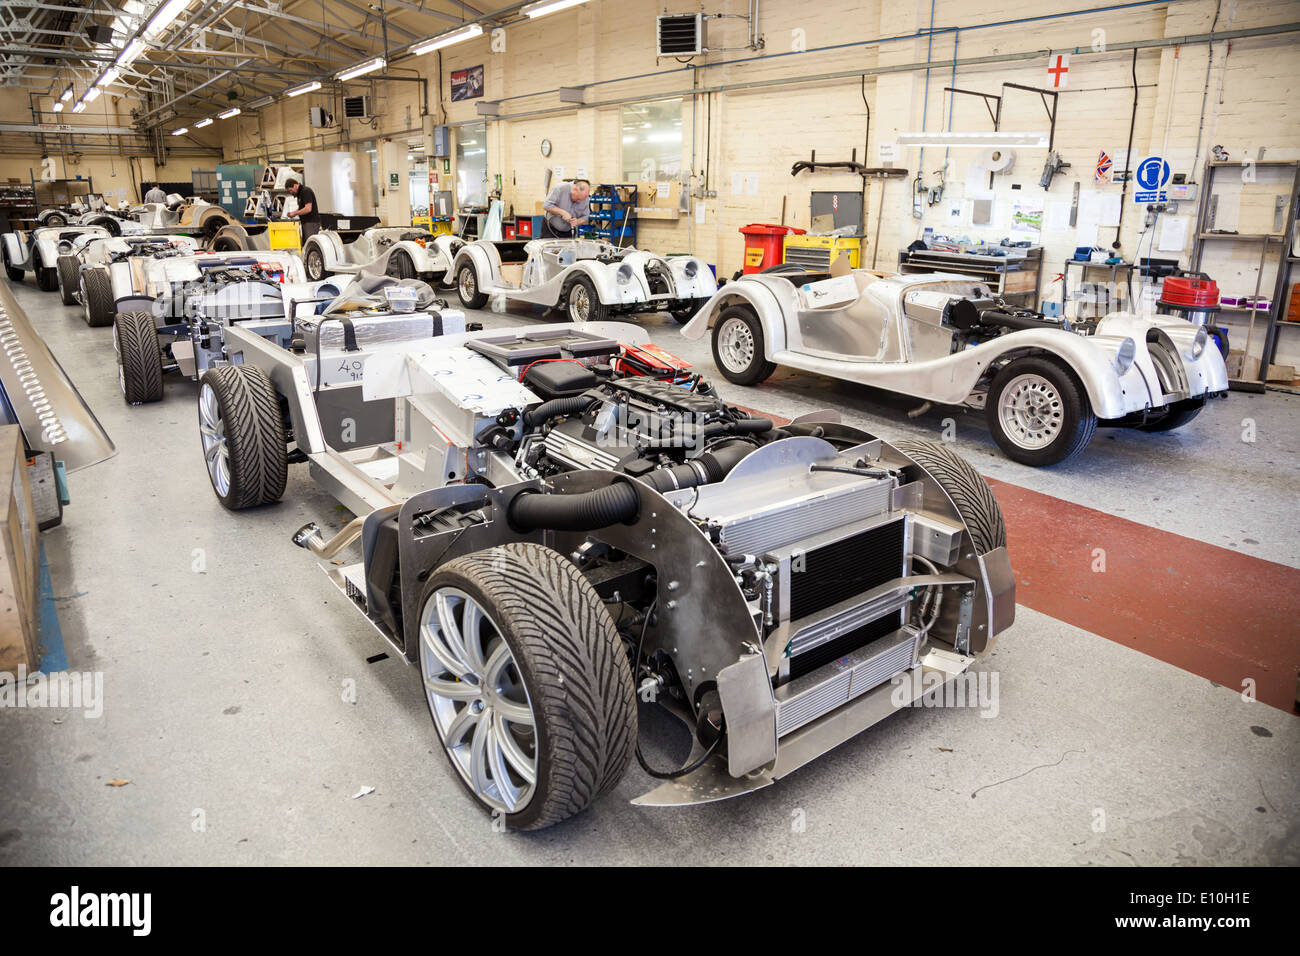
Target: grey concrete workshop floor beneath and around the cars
<point x="226" y="655"/>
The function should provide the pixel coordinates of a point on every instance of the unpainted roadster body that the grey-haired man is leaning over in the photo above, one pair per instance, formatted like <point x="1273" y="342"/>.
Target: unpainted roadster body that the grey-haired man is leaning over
<point x="621" y="278"/>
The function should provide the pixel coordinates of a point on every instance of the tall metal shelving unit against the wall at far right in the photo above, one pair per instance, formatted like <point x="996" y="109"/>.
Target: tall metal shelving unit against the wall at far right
<point x="1267" y="241"/>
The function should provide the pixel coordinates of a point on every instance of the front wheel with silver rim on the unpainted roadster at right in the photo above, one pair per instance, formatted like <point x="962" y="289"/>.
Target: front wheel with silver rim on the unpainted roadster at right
<point x="1064" y="405"/>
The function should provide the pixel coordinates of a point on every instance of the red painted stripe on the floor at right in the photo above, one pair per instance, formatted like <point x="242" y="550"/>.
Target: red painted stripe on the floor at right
<point x="1214" y="612"/>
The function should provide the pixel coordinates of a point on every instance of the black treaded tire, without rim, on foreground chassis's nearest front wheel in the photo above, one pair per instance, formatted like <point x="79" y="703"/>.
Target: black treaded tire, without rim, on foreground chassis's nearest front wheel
<point x="574" y="668"/>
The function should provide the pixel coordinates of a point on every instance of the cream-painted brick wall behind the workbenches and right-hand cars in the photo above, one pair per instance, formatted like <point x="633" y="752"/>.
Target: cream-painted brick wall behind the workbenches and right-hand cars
<point x="764" y="131"/>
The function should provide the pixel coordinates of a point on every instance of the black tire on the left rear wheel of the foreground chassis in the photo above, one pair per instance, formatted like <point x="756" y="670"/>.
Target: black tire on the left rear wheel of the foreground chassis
<point x="254" y="436"/>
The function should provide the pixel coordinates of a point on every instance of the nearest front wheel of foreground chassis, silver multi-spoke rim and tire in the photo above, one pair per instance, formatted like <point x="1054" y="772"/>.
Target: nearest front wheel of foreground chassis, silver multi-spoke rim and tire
<point x="527" y="682"/>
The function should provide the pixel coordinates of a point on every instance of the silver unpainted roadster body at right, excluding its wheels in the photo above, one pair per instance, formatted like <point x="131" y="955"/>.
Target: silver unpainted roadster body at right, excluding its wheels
<point x="879" y="339"/>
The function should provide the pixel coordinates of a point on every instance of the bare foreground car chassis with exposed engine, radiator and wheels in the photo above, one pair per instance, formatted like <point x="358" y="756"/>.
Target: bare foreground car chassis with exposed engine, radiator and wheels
<point x="549" y="527"/>
